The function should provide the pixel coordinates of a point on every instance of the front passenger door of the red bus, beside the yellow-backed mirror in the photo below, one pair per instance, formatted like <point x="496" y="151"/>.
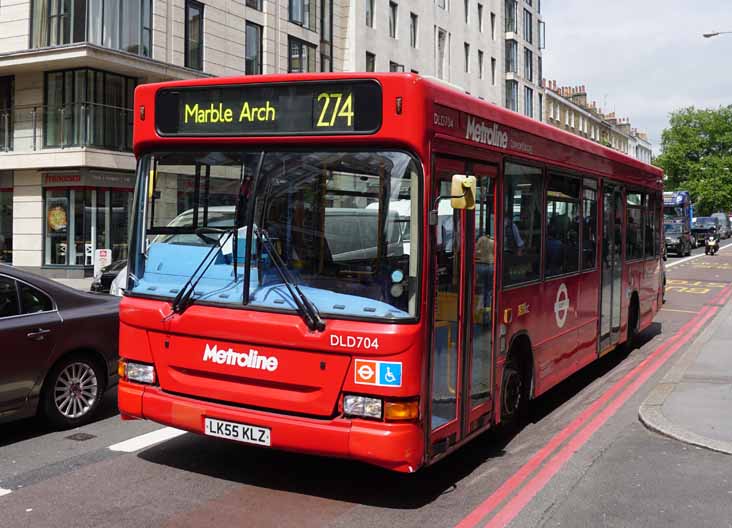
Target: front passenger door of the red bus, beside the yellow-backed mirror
<point x="461" y="352"/>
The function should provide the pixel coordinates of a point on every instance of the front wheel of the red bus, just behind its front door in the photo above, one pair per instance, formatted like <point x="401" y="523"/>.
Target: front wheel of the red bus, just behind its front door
<point x="515" y="388"/>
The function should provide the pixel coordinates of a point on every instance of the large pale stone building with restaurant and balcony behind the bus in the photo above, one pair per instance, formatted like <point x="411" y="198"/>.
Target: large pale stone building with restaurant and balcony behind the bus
<point x="68" y="71"/>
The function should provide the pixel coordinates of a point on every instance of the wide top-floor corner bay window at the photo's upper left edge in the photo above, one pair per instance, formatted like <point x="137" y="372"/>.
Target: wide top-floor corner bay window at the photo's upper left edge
<point x="123" y="25"/>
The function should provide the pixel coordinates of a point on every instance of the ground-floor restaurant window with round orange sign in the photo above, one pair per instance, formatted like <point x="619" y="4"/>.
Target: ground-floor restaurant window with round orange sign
<point x="80" y="220"/>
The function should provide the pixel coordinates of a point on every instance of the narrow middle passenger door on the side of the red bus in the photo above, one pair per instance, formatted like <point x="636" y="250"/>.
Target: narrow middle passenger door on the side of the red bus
<point x="612" y="267"/>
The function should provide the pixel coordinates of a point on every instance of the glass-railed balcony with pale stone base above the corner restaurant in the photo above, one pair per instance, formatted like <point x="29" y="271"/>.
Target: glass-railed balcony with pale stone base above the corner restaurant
<point x="74" y="135"/>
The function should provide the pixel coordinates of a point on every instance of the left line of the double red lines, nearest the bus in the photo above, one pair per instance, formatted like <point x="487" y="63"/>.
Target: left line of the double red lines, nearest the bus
<point x="508" y="487"/>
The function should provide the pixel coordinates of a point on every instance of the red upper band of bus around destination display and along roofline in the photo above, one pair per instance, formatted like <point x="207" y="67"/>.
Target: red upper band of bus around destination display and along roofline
<point x="410" y="105"/>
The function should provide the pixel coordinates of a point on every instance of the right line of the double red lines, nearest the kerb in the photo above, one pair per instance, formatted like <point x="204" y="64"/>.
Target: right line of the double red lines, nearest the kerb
<point x="506" y="514"/>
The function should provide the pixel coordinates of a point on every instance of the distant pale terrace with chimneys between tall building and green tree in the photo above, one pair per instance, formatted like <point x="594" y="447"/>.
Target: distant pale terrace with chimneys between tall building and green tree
<point x="568" y="108"/>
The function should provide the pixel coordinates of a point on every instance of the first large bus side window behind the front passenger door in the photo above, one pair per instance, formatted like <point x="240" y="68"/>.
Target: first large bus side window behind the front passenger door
<point x="521" y="224"/>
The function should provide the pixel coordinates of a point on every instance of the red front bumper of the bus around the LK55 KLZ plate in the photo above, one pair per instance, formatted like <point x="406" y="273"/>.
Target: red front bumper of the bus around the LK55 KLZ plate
<point x="394" y="446"/>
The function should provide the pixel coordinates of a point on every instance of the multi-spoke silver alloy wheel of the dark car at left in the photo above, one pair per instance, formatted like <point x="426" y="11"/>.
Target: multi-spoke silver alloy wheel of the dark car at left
<point x="76" y="390"/>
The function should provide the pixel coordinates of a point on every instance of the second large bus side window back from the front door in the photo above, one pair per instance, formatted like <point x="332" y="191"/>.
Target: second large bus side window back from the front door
<point x="562" y="247"/>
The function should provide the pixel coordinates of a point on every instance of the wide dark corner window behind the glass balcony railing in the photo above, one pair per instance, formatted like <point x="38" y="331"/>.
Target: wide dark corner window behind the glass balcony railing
<point x="88" y="107"/>
